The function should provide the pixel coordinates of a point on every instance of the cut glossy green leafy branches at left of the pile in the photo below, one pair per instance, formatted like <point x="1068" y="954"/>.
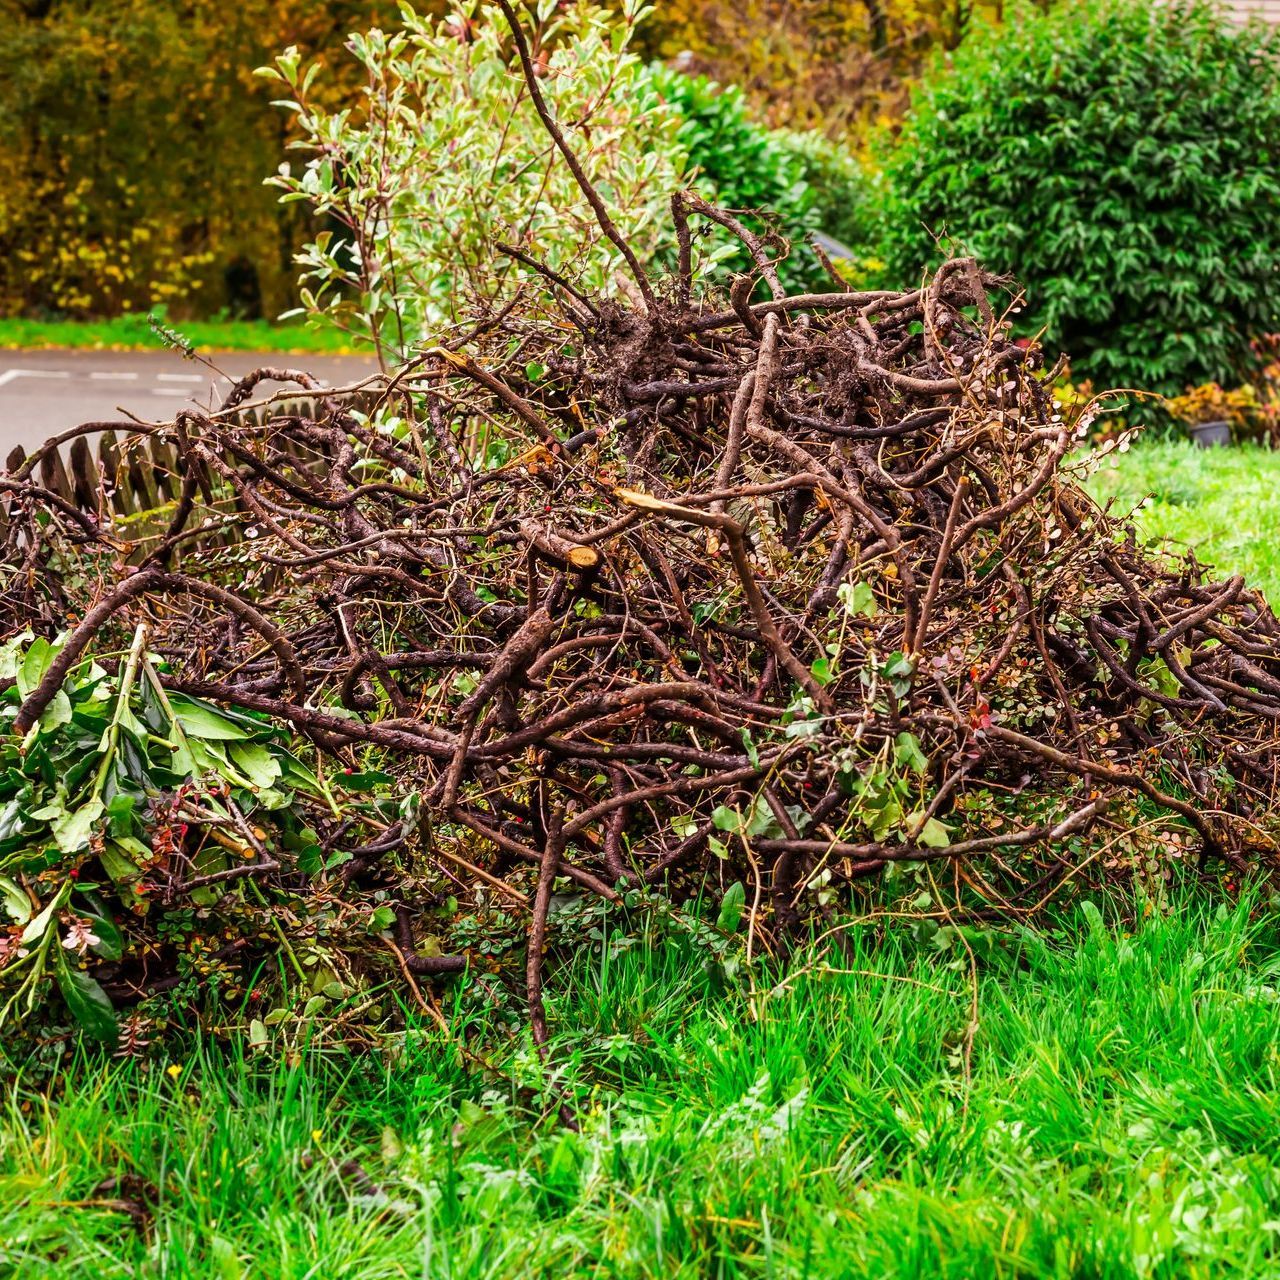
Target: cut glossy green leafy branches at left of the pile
<point x="118" y="789"/>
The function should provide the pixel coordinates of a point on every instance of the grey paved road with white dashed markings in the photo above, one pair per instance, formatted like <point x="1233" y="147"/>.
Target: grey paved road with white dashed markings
<point x="45" y="392"/>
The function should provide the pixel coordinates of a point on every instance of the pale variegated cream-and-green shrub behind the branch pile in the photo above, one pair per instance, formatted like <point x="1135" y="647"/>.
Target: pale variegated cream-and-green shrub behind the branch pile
<point x="446" y="161"/>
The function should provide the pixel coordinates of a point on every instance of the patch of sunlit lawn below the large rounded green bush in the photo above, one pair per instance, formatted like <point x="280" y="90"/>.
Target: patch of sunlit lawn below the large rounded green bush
<point x="1222" y="504"/>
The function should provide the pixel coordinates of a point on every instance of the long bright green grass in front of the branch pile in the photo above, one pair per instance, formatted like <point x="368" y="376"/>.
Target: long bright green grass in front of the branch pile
<point x="1123" y="1119"/>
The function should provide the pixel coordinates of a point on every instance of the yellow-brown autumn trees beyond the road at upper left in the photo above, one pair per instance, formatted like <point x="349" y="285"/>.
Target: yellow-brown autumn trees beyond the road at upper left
<point x="134" y="144"/>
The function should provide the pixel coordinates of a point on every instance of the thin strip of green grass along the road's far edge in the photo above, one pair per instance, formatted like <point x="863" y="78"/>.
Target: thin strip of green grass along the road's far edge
<point x="134" y="333"/>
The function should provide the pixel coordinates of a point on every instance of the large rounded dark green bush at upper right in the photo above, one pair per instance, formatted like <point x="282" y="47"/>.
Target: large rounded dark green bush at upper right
<point x="1124" y="163"/>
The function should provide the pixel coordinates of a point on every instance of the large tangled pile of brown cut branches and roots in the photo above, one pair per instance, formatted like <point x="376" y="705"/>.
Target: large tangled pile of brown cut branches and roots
<point x="789" y="591"/>
